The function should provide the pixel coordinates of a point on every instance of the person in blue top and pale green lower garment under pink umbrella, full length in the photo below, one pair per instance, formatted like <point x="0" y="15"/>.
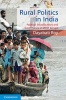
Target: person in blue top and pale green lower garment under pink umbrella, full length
<point x="37" y="55"/>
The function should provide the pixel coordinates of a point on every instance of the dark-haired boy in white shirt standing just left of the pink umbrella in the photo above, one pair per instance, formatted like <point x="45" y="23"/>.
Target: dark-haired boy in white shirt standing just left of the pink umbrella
<point x="25" y="47"/>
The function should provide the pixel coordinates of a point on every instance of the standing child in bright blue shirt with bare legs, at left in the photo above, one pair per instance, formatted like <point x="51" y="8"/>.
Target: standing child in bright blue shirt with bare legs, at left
<point x="7" y="57"/>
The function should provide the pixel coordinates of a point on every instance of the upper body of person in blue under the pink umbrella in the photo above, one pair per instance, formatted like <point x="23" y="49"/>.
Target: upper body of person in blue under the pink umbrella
<point x="37" y="53"/>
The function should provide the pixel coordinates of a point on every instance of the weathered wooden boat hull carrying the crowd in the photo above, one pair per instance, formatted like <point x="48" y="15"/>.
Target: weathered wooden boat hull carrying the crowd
<point x="29" y="89"/>
